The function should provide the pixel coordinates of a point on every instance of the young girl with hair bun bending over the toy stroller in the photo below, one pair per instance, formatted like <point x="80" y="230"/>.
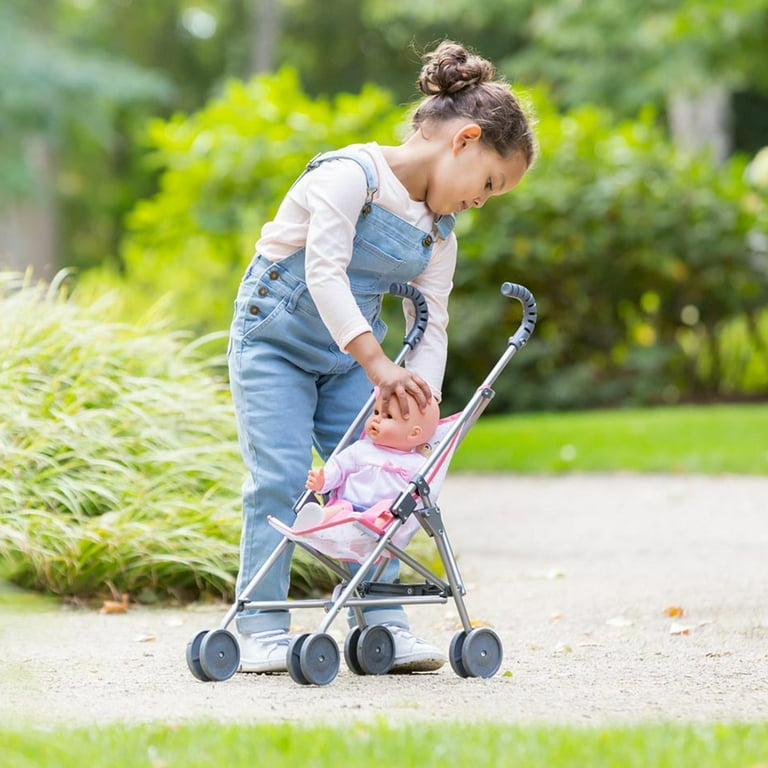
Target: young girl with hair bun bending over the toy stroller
<point x="305" y="349"/>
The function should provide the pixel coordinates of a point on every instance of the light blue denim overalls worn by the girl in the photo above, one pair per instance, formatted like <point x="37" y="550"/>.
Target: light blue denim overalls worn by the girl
<point x="292" y="386"/>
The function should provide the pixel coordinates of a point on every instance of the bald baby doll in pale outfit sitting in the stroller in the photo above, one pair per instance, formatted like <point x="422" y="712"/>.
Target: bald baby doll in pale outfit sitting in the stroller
<point x="374" y="468"/>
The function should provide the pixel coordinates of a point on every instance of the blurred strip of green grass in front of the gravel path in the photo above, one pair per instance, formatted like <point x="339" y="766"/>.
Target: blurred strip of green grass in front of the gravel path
<point x="377" y="744"/>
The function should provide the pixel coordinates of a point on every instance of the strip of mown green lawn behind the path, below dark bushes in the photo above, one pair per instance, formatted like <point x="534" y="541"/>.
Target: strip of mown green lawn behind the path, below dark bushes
<point x="701" y="439"/>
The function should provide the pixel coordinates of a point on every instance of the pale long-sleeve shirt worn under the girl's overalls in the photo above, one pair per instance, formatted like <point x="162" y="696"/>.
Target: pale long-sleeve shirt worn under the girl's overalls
<point x="320" y="213"/>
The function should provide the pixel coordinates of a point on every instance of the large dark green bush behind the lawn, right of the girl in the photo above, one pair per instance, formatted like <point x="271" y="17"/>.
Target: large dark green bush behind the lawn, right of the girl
<point x="639" y="256"/>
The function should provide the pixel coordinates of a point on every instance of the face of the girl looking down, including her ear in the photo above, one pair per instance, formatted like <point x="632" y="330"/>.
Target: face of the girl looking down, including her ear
<point x="470" y="172"/>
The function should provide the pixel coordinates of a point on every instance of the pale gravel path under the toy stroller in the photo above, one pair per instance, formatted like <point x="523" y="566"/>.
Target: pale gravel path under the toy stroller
<point x="580" y="575"/>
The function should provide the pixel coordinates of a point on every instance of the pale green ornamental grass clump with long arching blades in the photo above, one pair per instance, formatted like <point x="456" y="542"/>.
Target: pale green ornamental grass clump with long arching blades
<point x="119" y="464"/>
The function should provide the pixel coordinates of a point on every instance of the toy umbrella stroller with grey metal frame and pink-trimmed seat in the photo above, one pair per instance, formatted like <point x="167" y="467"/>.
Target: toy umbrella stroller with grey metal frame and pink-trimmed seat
<point x="370" y="538"/>
